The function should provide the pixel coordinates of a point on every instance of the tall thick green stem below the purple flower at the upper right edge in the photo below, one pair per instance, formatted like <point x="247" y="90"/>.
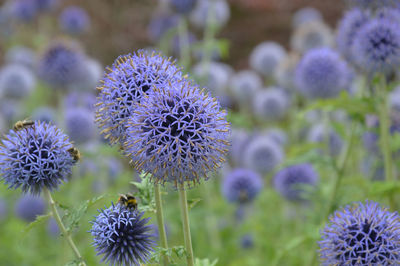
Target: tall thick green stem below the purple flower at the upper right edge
<point x="384" y="125"/>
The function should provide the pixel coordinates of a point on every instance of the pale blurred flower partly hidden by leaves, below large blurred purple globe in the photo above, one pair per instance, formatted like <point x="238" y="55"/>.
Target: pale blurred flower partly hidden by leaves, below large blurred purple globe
<point x="319" y="133"/>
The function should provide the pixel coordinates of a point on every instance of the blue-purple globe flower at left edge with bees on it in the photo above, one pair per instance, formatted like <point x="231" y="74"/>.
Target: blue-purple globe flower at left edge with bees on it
<point x="35" y="157"/>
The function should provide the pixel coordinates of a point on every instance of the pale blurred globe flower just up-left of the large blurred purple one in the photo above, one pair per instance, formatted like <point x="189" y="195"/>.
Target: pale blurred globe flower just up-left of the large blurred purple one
<point x="265" y="58"/>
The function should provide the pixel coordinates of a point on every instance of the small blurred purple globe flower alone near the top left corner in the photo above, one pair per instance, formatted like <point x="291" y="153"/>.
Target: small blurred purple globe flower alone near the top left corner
<point x="74" y="20"/>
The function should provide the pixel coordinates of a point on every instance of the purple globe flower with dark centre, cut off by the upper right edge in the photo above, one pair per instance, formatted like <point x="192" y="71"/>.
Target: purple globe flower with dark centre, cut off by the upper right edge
<point x="376" y="46"/>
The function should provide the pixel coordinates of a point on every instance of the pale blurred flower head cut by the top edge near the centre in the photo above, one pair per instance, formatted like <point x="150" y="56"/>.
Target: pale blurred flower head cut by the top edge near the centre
<point x="215" y="10"/>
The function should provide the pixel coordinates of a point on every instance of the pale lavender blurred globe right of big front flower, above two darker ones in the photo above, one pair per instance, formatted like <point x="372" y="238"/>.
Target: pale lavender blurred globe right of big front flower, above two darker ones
<point x="262" y="154"/>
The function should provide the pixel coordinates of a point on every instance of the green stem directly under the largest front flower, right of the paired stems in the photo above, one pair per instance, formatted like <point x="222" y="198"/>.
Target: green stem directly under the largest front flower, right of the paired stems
<point x="186" y="226"/>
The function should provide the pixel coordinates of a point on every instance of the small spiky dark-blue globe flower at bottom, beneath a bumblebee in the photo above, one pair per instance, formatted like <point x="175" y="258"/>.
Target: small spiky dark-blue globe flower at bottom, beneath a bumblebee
<point x="121" y="236"/>
